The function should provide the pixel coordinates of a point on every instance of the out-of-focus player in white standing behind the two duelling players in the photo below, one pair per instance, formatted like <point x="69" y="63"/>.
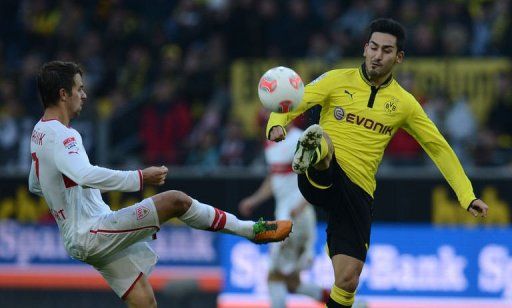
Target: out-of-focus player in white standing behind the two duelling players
<point x="290" y="257"/>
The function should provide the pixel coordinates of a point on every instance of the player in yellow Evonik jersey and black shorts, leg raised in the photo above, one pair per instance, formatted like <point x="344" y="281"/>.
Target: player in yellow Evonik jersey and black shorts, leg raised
<point x="362" y="108"/>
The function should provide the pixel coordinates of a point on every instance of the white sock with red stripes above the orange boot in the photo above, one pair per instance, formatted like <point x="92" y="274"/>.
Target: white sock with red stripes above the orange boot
<point x="205" y="217"/>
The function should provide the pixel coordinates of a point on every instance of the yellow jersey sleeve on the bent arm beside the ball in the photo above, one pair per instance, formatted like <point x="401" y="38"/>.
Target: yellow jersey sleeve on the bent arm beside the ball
<point x="315" y="93"/>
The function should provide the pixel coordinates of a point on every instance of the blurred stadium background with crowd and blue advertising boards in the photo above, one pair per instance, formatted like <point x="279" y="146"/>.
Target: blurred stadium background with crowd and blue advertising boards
<point x="174" y="83"/>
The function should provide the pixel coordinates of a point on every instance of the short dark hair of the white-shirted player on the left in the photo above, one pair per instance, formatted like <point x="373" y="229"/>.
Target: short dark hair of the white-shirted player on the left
<point x="52" y="77"/>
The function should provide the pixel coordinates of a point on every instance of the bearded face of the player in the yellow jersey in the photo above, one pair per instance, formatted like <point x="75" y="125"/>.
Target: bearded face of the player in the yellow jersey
<point x="381" y="54"/>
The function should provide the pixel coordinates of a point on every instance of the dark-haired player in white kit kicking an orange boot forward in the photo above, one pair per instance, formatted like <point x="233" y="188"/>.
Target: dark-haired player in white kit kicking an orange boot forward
<point x="114" y="242"/>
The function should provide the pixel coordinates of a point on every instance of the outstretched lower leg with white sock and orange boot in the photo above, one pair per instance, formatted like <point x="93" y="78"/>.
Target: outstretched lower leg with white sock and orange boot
<point x="202" y="216"/>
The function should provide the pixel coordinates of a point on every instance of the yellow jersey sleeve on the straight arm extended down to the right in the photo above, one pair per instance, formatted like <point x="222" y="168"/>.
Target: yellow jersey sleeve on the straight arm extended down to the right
<point x="426" y="133"/>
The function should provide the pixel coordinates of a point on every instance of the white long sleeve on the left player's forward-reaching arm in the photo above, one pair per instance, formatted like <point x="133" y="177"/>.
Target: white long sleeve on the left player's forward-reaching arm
<point x="72" y="161"/>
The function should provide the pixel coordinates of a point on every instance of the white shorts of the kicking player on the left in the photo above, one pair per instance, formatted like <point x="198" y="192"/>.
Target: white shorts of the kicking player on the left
<point x="117" y="246"/>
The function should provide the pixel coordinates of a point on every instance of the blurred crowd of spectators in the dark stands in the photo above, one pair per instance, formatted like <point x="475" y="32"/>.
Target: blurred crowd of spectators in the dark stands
<point x="157" y="73"/>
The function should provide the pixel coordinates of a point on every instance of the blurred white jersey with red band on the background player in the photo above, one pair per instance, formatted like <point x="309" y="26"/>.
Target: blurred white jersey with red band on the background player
<point x="279" y="157"/>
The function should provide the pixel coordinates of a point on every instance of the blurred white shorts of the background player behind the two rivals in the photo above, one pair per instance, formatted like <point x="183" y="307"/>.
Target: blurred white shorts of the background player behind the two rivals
<point x="289" y="256"/>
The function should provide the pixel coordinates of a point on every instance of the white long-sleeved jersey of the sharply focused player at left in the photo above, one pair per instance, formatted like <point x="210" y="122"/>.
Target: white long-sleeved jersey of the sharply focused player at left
<point x="62" y="174"/>
